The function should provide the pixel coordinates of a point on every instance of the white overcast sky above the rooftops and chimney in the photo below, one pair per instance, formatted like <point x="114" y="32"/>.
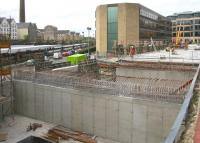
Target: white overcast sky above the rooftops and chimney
<point x="78" y="14"/>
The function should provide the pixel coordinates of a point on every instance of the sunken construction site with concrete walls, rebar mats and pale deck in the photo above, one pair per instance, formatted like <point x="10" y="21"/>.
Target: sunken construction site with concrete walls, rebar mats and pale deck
<point x="111" y="99"/>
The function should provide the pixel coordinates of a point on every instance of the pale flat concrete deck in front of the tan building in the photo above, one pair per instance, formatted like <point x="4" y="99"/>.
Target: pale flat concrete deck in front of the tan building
<point x="180" y="56"/>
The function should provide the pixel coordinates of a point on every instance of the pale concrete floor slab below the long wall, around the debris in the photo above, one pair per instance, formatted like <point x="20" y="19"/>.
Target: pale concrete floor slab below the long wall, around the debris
<point x="16" y="130"/>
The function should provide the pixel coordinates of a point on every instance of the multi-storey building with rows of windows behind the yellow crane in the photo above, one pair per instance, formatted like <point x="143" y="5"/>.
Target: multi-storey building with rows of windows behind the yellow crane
<point x="187" y="24"/>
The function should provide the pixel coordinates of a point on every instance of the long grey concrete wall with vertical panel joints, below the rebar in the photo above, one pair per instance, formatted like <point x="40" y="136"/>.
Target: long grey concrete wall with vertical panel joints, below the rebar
<point x="121" y="119"/>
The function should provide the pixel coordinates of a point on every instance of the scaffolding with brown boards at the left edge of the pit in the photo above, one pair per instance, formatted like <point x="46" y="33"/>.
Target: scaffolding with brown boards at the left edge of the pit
<point x="6" y="84"/>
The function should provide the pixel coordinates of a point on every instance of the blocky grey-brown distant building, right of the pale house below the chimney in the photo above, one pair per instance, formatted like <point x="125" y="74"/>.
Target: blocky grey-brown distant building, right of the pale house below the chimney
<point x="50" y="33"/>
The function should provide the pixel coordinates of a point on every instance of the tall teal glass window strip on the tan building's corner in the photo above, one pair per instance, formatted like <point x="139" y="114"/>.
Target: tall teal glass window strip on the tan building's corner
<point x="112" y="27"/>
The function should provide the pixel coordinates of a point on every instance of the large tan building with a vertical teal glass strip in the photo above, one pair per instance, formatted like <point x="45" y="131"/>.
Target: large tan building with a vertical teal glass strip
<point x="125" y="23"/>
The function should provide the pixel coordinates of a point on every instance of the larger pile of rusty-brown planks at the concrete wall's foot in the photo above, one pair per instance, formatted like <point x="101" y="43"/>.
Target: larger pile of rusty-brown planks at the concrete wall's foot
<point x="60" y="133"/>
